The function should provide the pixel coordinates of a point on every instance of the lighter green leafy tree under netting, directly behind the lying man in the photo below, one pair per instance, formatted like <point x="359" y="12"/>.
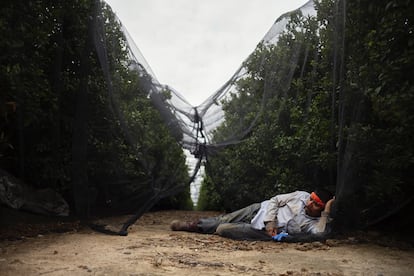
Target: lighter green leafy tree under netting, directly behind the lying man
<point x="289" y="147"/>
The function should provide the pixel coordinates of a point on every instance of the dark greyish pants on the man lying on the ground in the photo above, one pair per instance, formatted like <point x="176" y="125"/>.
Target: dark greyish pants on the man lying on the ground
<point x="235" y="225"/>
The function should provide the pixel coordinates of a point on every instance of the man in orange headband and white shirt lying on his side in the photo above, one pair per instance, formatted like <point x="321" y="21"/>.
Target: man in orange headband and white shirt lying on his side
<point x="285" y="214"/>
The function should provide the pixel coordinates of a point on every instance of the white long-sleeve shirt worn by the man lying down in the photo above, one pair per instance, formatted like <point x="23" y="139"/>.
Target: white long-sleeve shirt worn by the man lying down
<point x="288" y="210"/>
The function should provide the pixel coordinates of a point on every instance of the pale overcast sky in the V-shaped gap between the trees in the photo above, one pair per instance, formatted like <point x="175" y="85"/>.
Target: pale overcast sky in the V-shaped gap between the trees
<point x="195" y="46"/>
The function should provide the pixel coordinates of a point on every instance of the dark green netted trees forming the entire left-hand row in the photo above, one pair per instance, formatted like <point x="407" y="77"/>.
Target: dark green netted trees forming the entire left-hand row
<point x="48" y="58"/>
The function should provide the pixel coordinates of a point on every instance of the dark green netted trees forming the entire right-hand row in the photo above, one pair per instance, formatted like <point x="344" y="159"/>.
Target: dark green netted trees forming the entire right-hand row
<point x="332" y="101"/>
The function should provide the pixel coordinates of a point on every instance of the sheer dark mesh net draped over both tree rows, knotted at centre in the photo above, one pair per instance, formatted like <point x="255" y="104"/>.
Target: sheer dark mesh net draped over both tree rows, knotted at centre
<point x="322" y="102"/>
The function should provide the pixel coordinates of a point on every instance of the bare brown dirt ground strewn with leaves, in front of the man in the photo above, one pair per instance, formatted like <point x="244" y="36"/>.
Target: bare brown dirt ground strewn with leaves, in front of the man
<point x="36" y="247"/>
